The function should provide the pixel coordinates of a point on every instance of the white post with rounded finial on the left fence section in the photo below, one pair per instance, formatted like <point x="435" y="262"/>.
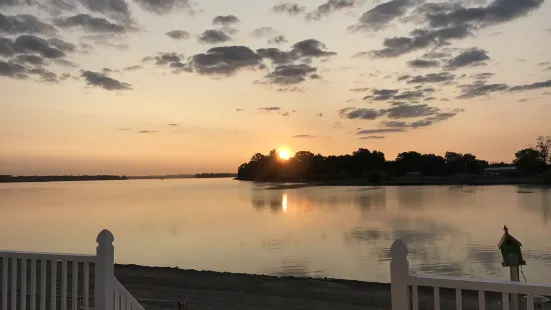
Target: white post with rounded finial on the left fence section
<point x="105" y="271"/>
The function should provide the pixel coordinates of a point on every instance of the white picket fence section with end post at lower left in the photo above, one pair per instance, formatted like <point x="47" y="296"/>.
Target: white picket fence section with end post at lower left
<point x="51" y="281"/>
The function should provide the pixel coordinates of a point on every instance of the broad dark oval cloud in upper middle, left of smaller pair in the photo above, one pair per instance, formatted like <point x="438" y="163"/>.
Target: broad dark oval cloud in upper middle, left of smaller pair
<point x="225" y="60"/>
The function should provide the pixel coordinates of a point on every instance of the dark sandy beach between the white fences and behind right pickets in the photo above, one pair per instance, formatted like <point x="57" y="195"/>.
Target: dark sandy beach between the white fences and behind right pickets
<point x="160" y="288"/>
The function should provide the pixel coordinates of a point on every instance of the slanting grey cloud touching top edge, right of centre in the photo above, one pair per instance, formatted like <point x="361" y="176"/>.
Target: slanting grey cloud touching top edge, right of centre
<point x="382" y="15"/>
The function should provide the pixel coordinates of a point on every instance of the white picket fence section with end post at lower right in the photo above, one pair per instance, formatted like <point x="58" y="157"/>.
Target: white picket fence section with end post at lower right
<point x="405" y="285"/>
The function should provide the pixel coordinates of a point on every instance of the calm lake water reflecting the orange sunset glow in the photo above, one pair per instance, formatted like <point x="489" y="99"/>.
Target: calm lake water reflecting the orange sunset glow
<point x="339" y="232"/>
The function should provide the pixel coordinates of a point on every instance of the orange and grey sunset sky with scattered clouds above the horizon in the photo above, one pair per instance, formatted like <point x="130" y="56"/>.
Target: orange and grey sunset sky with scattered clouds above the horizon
<point x="173" y="86"/>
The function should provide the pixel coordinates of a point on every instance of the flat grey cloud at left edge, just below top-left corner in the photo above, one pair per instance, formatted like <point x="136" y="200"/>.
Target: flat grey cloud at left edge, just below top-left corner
<point x="25" y="23"/>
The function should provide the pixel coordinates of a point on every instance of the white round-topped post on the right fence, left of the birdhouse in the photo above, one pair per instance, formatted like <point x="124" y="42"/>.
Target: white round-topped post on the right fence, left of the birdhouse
<point x="399" y="274"/>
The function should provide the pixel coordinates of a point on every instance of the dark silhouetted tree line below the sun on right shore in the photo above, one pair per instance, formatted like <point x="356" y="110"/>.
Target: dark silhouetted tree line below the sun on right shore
<point x="307" y="166"/>
